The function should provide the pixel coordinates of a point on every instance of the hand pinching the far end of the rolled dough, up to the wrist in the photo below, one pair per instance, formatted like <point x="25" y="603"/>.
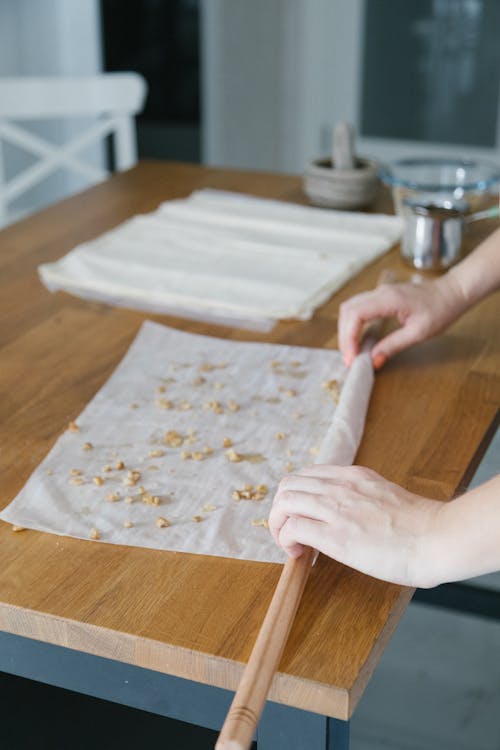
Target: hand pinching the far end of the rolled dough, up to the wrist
<point x="422" y="310"/>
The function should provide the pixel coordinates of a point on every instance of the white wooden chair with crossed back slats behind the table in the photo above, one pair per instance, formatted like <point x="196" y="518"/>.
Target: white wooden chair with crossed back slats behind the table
<point x="110" y="99"/>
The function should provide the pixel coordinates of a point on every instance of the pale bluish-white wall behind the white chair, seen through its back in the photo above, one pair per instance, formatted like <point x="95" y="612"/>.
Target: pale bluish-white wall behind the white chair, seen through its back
<point x="49" y="37"/>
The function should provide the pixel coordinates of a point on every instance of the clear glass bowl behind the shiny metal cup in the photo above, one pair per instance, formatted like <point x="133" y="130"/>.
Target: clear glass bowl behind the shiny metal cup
<point x="430" y="180"/>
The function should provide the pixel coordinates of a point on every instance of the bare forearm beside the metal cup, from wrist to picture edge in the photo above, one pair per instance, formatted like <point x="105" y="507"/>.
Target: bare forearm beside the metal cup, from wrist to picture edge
<point x="479" y="273"/>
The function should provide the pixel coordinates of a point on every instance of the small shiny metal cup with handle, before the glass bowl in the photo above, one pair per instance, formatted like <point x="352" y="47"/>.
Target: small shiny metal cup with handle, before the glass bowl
<point x="432" y="234"/>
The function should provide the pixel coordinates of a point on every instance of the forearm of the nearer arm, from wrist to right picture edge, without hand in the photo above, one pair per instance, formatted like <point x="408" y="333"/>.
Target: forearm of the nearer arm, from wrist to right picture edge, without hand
<point x="467" y="538"/>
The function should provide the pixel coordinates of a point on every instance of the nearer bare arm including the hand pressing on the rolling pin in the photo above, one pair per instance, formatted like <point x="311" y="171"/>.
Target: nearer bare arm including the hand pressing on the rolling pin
<point x="357" y="517"/>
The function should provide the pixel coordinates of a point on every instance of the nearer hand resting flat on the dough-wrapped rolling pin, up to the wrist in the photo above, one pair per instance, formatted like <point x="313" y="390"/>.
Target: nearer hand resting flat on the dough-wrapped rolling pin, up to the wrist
<point x="357" y="517"/>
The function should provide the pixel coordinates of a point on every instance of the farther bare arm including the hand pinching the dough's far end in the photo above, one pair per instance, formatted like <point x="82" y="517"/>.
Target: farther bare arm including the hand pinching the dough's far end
<point x="423" y="310"/>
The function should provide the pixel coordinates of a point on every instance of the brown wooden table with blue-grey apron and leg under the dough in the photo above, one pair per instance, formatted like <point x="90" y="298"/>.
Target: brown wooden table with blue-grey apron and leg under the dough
<point x="188" y="617"/>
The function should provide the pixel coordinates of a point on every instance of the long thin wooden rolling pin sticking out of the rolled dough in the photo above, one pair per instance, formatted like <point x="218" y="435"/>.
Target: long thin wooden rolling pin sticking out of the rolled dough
<point x="241" y="721"/>
